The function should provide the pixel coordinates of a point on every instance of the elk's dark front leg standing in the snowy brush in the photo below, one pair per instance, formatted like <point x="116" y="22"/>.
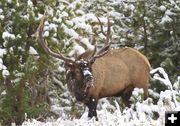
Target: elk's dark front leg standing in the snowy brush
<point x="92" y="104"/>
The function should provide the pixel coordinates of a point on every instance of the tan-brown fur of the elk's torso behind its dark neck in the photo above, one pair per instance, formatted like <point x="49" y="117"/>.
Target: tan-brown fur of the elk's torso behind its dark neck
<point x="119" y="71"/>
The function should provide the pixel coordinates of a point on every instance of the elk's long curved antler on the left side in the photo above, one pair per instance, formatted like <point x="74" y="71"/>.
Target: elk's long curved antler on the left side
<point x="45" y="47"/>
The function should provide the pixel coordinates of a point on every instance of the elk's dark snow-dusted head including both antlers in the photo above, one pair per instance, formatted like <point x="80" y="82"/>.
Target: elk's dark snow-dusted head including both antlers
<point x="79" y="74"/>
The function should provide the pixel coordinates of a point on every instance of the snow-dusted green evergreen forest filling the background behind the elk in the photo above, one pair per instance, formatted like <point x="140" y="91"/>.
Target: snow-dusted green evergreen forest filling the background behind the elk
<point x="149" y="25"/>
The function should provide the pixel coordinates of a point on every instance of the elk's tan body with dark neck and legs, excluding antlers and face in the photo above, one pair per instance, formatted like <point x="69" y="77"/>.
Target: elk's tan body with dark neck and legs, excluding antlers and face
<point x="115" y="74"/>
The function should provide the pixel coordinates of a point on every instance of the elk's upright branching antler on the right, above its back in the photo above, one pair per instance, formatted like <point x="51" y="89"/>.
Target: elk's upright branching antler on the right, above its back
<point x="105" y="48"/>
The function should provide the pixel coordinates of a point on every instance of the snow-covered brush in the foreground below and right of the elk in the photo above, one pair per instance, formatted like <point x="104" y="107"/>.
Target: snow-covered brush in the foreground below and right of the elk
<point x="140" y="113"/>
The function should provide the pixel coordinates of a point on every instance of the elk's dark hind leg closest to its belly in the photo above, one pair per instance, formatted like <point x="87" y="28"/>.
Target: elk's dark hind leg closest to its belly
<point x="126" y="95"/>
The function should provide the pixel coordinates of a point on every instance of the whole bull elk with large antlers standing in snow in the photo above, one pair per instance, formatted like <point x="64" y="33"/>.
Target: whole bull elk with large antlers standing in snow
<point x="103" y="73"/>
